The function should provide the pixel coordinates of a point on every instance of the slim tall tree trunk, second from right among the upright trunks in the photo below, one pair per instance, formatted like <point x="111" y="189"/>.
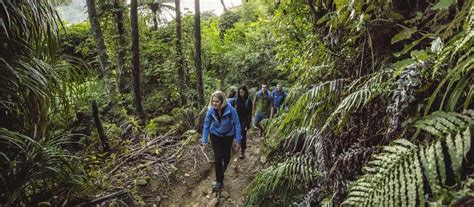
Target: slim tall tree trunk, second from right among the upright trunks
<point x="181" y="79"/>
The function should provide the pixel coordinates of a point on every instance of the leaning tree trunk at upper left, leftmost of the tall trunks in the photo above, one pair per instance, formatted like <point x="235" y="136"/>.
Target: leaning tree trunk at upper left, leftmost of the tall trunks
<point x="99" y="38"/>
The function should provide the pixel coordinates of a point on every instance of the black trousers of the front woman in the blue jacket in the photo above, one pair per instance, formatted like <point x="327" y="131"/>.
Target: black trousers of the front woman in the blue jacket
<point x="222" y="147"/>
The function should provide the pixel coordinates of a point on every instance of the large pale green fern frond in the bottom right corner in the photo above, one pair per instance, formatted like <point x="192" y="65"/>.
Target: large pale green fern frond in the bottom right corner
<point x="395" y="177"/>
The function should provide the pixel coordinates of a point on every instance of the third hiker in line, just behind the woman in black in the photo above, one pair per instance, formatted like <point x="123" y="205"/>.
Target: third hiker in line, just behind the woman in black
<point x="263" y="107"/>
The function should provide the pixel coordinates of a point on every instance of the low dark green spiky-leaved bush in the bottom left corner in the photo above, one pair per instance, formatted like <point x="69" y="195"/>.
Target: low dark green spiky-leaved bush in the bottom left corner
<point x="34" y="169"/>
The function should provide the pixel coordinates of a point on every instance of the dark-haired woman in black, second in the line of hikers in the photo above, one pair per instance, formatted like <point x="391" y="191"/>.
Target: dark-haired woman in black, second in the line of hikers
<point x="243" y="105"/>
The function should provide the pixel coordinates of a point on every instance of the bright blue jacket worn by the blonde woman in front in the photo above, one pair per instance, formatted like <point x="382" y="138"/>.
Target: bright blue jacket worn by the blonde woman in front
<point x="229" y="125"/>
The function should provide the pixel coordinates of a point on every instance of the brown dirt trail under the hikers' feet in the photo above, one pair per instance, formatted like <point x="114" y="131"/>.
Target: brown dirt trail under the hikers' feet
<point x="239" y="173"/>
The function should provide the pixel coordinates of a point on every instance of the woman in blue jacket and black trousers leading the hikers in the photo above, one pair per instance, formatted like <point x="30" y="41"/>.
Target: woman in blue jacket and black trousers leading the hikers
<point x="223" y="125"/>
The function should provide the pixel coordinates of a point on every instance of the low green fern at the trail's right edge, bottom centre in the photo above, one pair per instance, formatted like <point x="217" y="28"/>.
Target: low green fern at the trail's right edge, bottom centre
<point x="283" y="180"/>
